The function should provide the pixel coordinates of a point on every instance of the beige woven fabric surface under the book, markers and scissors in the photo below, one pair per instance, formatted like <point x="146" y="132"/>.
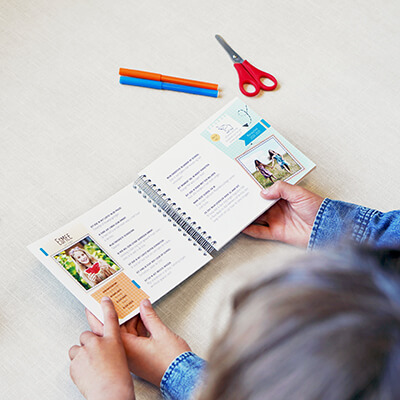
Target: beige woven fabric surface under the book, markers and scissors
<point x="71" y="136"/>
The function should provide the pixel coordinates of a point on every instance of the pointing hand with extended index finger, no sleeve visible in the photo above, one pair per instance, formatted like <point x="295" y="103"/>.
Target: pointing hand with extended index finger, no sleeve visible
<point x="99" y="366"/>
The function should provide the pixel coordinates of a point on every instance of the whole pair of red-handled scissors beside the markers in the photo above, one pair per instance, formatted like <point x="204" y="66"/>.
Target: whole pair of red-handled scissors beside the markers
<point x="248" y="74"/>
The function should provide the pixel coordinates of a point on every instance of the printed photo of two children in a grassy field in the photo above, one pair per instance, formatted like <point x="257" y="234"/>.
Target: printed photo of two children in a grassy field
<point x="268" y="162"/>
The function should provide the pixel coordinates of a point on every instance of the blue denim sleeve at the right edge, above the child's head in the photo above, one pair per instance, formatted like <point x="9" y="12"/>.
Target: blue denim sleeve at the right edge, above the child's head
<point x="337" y="221"/>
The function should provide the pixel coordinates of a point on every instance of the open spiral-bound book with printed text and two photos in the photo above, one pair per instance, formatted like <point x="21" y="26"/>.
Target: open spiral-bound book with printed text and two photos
<point x="172" y="220"/>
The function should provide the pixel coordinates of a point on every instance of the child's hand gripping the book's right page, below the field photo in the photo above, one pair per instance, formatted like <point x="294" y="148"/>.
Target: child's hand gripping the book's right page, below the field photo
<point x="291" y="219"/>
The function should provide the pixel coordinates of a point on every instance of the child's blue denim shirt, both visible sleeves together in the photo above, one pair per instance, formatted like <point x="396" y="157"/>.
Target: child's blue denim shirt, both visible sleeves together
<point x="335" y="222"/>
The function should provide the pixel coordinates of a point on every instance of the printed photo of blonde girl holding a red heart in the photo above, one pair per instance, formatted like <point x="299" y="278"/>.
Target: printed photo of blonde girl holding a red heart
<point x="87" y="263"/>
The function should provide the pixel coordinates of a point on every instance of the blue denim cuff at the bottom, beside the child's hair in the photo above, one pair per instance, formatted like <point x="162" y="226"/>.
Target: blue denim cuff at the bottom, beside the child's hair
<point x="182" y="376"/>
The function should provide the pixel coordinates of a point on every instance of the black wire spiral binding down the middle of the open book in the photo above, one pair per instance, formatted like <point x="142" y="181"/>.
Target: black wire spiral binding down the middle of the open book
<point x="175" y="214"/>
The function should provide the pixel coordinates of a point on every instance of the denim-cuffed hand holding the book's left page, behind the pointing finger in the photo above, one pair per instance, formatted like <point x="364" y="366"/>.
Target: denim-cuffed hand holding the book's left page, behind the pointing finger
<point x="150" y="346"/>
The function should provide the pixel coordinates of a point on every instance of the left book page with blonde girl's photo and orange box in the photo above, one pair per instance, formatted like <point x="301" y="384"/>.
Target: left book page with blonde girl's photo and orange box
<point x="124" y="249"/>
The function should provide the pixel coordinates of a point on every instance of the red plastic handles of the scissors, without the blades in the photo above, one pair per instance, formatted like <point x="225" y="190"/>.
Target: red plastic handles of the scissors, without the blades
<point x="248" y="74"/>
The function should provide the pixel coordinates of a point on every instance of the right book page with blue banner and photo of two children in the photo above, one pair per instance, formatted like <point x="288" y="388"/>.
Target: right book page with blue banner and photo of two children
<point x="215" y="174"/>
